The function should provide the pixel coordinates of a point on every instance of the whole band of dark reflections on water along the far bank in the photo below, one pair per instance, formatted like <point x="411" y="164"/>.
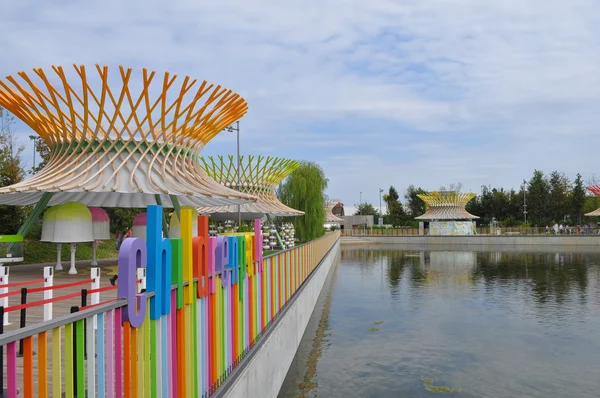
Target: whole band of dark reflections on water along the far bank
<point x="549" y="277"/>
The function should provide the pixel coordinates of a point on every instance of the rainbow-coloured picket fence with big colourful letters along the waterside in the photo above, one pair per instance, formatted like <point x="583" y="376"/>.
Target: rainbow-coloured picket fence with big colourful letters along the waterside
<point x="207" y="302"/>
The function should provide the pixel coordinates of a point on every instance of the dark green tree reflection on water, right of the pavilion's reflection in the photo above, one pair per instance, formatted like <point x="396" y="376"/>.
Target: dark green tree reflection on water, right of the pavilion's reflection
<point x="551" y="276"/>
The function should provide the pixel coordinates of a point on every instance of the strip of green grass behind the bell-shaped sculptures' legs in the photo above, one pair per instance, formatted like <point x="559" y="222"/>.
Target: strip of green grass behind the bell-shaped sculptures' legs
<point x="38" y="252"/>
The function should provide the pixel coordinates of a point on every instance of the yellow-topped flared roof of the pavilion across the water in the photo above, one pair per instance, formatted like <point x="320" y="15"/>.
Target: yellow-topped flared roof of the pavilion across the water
<point x="446" y="205"/>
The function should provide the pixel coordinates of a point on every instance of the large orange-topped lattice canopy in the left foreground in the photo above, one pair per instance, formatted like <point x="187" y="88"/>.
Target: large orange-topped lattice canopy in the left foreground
<point x="121" y="140"/>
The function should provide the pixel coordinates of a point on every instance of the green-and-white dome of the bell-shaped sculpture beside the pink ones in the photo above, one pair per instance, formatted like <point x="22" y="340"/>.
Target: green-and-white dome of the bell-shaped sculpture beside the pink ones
<point x="73" y="224"/>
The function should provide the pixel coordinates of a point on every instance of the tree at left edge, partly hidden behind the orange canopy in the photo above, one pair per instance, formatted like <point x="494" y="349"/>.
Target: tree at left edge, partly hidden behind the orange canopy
<point x="11" y="172"/>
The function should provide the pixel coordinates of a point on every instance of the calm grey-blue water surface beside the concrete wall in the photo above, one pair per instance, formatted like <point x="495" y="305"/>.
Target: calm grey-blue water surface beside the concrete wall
<point x="490" y="324"/>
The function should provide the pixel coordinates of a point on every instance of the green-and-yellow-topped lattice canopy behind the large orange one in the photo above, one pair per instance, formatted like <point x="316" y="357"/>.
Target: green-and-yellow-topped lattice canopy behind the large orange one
<point x="259" y="176"/>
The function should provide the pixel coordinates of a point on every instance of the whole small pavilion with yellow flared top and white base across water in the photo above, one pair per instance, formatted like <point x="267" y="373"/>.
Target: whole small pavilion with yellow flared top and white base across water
<point x="446" y="213"/>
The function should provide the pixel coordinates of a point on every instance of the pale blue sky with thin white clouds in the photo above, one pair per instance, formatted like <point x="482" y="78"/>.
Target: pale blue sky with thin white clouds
<point x="378" y="92"/>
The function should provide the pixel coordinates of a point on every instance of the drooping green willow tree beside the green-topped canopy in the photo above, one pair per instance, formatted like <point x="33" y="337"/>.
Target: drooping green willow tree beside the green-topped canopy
<point x="304" y="190"/>
